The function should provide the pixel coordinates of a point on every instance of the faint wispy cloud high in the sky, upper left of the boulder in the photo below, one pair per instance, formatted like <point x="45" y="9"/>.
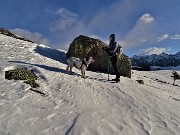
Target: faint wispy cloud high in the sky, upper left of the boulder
<point x="66" y="19"/>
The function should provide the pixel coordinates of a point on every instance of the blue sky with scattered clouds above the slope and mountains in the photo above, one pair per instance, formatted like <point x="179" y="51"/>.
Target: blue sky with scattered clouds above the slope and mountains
<point x="141" y="26"/>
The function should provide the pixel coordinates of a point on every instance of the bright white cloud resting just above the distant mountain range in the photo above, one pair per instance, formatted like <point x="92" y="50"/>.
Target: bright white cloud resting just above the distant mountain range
<point x="152" y="50"/>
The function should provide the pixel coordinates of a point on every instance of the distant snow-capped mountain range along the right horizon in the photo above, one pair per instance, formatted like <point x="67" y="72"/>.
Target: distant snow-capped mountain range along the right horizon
<point x="162" y="60"/>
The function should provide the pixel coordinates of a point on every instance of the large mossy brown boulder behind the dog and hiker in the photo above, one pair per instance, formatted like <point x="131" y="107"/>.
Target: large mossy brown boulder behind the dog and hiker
<point x="84" y="46"/>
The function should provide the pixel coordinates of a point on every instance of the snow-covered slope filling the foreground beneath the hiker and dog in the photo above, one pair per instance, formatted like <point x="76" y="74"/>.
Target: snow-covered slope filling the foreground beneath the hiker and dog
<point x="76" y="106"/>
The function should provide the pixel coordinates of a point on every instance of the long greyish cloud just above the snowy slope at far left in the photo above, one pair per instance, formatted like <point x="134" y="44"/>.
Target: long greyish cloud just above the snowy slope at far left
<point x="34" y="36"/>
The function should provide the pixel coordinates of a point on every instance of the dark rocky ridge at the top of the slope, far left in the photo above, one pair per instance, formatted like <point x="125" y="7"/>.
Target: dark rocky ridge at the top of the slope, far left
<point x="8" y="33"/>
